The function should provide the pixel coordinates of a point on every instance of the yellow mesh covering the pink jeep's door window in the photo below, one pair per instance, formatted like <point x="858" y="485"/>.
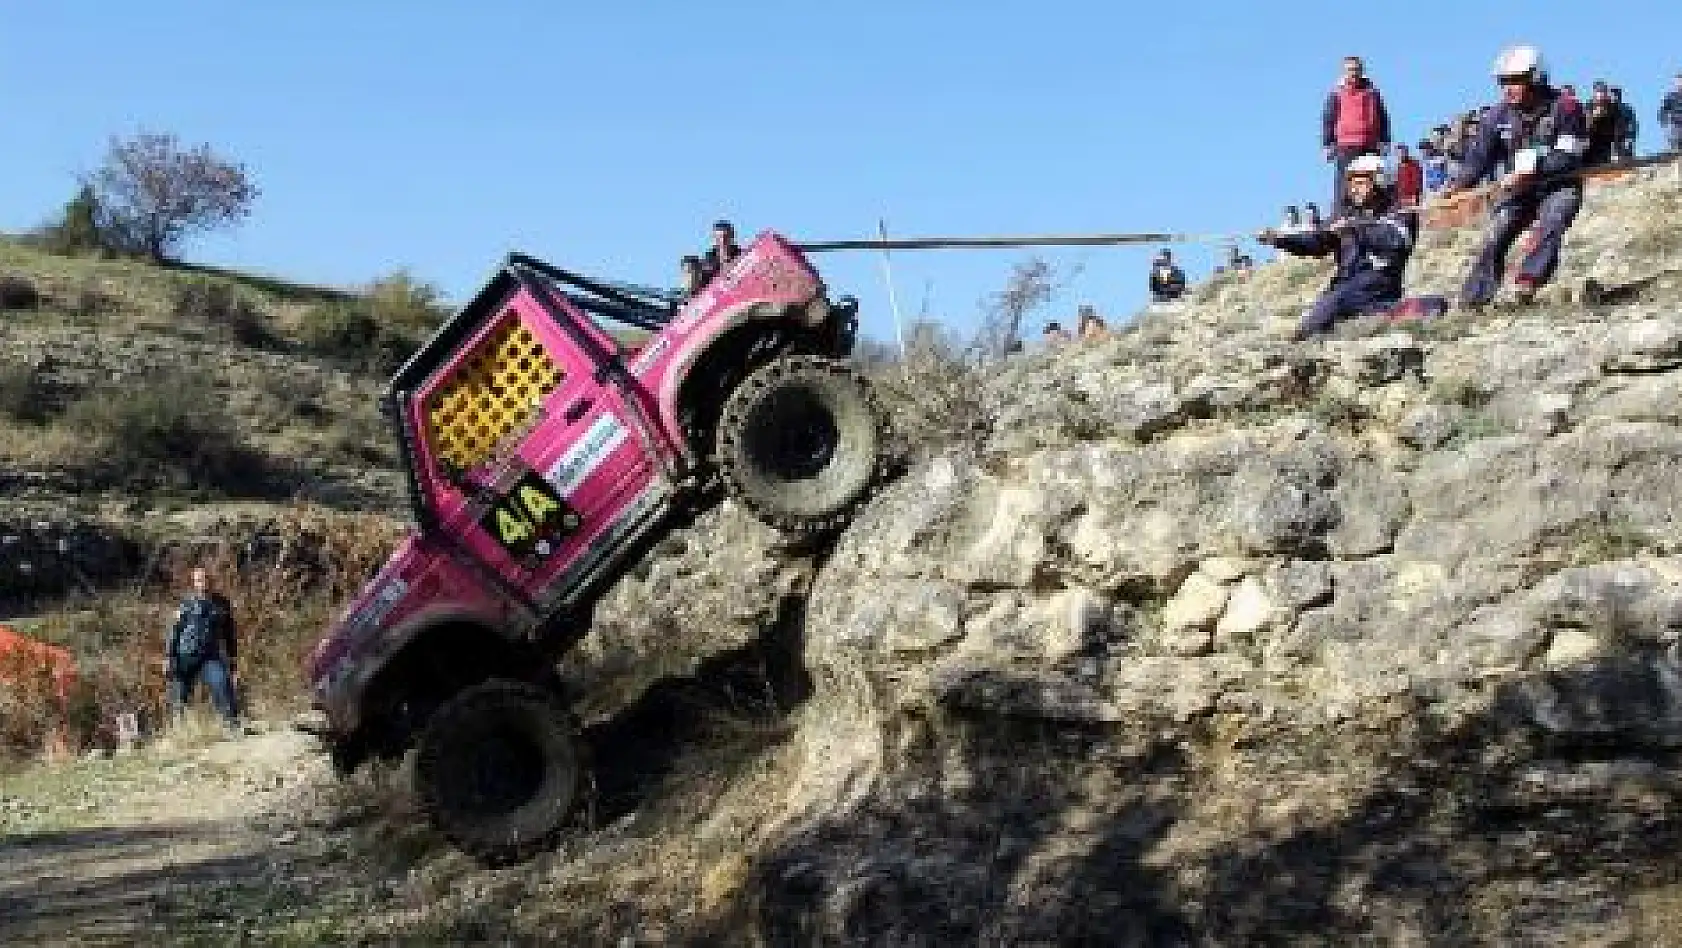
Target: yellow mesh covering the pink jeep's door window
<point x="495" y="392"/>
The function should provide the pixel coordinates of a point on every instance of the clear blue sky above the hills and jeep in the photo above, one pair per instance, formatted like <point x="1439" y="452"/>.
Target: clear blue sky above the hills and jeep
<point x="606" y="137"/>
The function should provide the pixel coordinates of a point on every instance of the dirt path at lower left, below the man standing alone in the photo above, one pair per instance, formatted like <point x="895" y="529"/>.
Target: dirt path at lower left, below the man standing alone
<point x="176" y="843"/>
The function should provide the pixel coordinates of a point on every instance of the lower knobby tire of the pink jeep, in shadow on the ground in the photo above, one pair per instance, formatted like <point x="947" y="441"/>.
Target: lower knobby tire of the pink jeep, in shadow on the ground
<point x="499" y="769"/>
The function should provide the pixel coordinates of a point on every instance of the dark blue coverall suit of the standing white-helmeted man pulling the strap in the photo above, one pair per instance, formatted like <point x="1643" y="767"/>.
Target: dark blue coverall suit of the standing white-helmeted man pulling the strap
<point x="1553" y="134"/>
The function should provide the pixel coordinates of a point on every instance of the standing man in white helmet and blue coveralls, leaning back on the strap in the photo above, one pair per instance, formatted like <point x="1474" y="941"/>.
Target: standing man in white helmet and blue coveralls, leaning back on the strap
<point x="1542" y="137"/>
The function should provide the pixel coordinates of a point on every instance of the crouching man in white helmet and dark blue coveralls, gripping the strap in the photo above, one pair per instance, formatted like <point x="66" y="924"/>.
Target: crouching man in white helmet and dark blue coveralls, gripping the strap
<point x="1372" y="243"/>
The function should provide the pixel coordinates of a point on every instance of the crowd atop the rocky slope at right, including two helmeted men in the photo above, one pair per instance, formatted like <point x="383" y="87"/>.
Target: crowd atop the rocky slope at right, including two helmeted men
<point x="1528" y="147"/>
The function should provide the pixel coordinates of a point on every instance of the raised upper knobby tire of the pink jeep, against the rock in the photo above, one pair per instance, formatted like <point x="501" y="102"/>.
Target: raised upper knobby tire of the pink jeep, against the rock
<point x="801" y="445"/>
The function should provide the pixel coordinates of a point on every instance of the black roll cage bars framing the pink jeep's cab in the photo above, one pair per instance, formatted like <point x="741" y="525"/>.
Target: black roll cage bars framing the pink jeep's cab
<point x="643" y="308"/>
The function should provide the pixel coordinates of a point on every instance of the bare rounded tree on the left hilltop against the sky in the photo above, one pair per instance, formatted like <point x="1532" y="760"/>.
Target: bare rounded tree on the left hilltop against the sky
<point x="154" y="194"/>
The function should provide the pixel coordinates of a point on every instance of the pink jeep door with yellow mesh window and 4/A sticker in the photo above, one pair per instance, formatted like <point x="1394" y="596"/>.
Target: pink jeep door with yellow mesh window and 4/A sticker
<point x="541" y="463"/>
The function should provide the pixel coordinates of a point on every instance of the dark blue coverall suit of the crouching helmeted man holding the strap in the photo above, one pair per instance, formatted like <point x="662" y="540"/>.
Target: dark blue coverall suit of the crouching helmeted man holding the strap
<point x="1372" y="260"/>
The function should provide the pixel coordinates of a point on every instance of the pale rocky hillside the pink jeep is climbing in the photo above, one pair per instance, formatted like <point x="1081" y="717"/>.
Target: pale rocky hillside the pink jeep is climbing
<point x="1209" y="640"/>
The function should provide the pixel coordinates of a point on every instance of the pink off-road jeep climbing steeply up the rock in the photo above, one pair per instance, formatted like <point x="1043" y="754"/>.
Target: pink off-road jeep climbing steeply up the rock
<point x="549" y="433"/>
